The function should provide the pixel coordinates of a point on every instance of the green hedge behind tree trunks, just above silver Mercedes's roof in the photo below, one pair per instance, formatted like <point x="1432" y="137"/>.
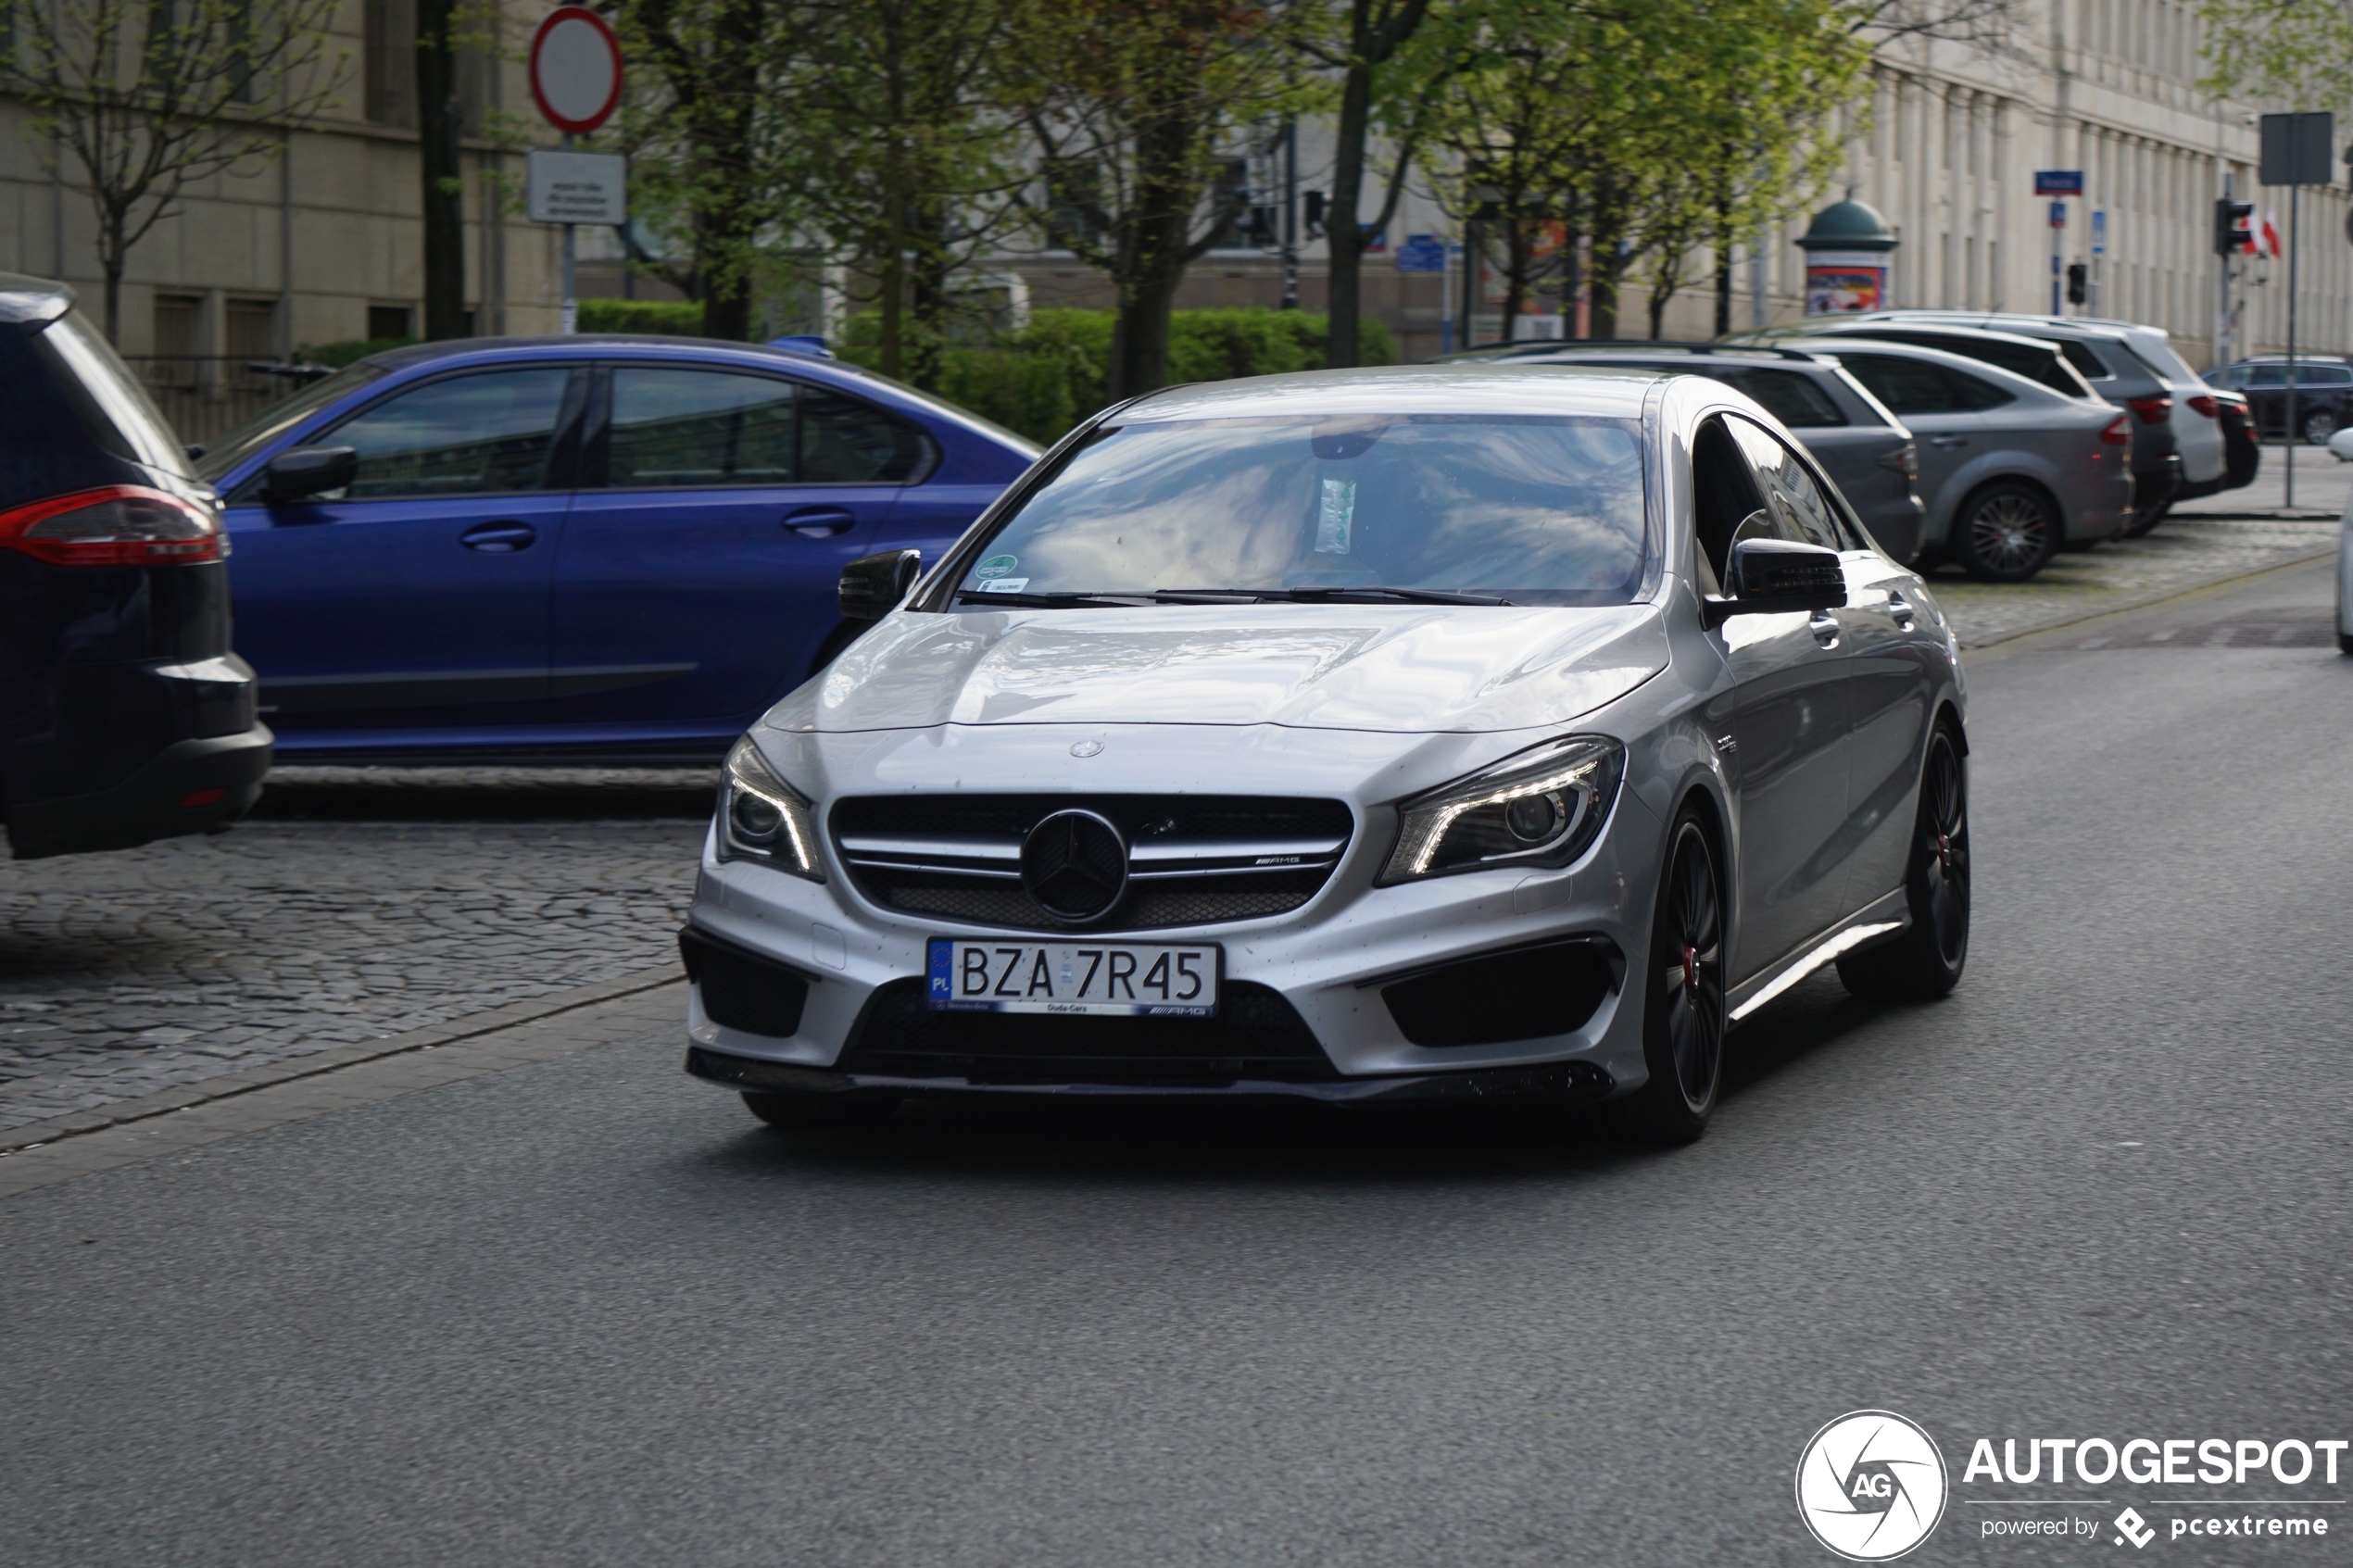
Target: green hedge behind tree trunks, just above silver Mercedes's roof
<point x="1051" y="375"/>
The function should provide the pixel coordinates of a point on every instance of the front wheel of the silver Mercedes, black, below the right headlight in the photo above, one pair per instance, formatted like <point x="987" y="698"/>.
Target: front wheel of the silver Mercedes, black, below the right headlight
<point x="1684" y="991"/>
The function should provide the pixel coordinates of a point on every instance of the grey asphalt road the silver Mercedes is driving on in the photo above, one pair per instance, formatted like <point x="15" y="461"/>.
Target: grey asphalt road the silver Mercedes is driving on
<point x="589" y="1313"/>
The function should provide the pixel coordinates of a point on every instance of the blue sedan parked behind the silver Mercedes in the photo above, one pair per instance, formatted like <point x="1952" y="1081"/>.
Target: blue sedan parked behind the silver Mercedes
<point x="618" y="547"/>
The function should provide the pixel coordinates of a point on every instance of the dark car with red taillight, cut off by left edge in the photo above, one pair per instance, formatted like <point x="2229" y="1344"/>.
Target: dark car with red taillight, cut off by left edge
<point x="124" y="716"/>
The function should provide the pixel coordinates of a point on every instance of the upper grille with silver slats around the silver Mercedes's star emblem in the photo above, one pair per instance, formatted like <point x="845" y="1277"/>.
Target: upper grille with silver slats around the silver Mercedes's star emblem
<point x="1194" y="859"/>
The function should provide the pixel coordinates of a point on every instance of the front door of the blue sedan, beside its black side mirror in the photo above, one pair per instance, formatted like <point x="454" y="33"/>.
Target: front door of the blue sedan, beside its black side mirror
<point x="420" y="596"/>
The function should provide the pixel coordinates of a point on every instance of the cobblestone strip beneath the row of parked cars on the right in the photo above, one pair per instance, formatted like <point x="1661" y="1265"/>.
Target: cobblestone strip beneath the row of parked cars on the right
<point x="2182" y="554"/>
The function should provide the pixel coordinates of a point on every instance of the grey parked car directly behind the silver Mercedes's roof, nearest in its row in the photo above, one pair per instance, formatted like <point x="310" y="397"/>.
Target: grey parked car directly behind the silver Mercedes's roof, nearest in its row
<point x="1867" y="453"/>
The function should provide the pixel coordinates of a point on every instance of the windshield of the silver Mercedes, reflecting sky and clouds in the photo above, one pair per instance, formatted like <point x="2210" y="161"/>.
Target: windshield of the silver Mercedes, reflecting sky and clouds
<point x="1521" y="509"/>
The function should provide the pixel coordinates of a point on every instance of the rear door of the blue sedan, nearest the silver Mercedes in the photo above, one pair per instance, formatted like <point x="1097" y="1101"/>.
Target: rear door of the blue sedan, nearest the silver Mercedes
<point x="700" y="568"/>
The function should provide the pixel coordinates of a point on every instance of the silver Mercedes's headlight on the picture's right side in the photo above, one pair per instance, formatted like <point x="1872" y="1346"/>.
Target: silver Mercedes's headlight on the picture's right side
<point x="1542" y="808"/>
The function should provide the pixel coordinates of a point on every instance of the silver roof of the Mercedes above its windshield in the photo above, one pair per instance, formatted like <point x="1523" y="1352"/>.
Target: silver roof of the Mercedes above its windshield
<point x="1469" y="387"/>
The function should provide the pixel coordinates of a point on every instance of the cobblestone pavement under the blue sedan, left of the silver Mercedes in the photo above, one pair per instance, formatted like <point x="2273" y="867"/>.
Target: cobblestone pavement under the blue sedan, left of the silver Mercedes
<point x="354" y="906"/>
